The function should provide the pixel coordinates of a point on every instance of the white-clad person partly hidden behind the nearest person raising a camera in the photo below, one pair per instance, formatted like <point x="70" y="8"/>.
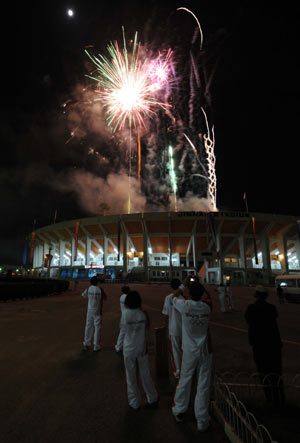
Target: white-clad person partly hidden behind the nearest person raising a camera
<point x="175" y="327"/>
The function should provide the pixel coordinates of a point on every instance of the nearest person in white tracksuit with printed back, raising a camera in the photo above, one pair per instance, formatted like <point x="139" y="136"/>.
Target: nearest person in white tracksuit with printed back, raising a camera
<point x="197" y="356"/>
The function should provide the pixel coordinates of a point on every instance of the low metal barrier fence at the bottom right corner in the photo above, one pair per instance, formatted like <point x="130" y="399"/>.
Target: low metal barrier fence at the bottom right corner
<point x="239" y="424"/>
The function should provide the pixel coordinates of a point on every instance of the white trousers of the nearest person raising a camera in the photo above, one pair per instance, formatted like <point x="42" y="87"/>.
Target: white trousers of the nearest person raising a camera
<point x="202" y="365"/>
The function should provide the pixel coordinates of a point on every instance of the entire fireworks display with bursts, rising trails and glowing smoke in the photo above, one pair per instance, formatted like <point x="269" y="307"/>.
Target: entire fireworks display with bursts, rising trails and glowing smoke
<point x="138" y="91"/>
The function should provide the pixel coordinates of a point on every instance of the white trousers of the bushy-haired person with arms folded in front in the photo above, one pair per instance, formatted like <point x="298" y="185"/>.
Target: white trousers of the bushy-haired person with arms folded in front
<point x="133" y="392"/>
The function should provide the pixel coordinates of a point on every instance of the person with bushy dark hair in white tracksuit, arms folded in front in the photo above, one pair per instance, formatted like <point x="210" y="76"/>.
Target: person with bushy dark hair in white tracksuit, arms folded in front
<point x="135" y="352"/>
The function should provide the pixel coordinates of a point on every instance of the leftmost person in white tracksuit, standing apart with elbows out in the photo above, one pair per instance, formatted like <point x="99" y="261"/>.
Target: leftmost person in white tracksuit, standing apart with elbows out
<point x="93" y="316"/>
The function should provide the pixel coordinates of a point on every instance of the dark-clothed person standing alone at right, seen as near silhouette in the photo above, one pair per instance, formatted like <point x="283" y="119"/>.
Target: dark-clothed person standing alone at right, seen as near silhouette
<point x="264" y="337"/>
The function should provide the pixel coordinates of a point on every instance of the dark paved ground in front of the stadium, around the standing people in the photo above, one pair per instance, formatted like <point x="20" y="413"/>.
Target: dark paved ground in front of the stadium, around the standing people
<point x="52" y="391"/>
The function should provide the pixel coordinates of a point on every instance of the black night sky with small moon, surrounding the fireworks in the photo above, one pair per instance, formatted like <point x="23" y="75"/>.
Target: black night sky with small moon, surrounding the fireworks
<point x="255" y="103"/>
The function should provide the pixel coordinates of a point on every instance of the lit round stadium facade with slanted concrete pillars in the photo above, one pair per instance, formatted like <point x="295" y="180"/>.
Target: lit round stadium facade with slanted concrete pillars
<point x="241" y="247"/>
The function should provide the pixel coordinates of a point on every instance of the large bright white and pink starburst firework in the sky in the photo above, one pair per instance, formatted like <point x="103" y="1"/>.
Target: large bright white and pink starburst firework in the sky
<point x="128" y="84"/>
